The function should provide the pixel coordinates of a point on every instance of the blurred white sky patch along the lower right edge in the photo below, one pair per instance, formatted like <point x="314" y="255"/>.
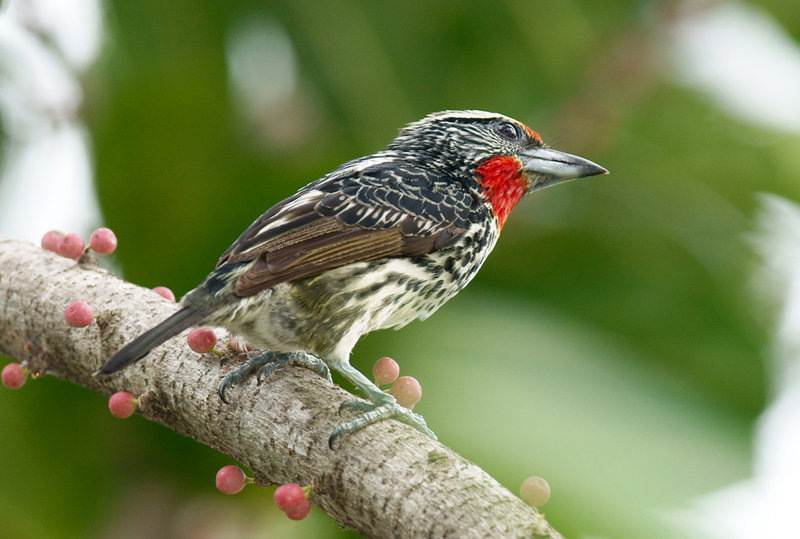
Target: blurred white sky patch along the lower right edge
<point x="766" y="504"/>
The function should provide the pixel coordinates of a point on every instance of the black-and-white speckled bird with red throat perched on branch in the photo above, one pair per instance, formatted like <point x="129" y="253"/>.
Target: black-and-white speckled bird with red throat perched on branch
<point x="381" y="241"/>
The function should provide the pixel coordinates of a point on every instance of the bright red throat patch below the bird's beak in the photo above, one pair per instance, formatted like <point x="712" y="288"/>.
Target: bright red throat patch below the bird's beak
<point x="502" y="179"/>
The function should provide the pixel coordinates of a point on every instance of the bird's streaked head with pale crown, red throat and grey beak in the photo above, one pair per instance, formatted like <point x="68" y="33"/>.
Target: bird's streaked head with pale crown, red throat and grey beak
<point x="500" y="158"/>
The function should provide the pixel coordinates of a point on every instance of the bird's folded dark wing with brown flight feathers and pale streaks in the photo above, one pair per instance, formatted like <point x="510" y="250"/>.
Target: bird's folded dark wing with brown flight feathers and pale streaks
<point x="383" y="211"/>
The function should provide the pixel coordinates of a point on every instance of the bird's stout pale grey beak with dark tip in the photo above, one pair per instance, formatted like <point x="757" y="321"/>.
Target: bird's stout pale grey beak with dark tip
<point x="547" y="167"/>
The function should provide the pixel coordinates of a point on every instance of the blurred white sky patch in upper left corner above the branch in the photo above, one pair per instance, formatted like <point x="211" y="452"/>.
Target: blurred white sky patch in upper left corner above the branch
<point x="46" y="173"/>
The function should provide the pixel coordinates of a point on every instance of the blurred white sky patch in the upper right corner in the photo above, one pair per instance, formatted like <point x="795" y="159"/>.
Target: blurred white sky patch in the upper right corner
<point x="745" y="60"/>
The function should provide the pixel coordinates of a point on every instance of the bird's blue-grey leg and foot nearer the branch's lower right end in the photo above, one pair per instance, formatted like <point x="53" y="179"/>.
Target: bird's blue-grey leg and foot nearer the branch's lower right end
<point x="383" y="406"/>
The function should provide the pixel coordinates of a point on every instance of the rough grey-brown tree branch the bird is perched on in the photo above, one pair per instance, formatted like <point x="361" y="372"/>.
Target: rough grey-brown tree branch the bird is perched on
<point x="385" y="480"/>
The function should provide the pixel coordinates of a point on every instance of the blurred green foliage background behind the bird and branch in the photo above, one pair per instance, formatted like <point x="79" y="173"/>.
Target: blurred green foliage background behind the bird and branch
<point x="611" y="343"/>
